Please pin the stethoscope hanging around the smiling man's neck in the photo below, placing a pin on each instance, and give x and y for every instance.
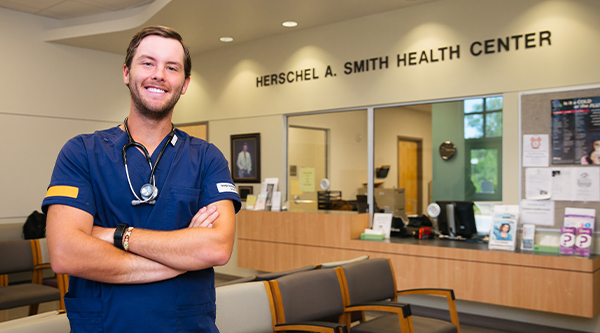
(149, 191)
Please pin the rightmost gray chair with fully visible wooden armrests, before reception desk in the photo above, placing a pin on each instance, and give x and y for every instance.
(370, 285)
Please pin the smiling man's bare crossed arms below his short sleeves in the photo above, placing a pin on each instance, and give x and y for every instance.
(79, 248)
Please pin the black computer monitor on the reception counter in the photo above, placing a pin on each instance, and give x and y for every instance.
(457, 218)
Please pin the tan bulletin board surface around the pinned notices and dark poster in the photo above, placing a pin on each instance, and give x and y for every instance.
(536, 118)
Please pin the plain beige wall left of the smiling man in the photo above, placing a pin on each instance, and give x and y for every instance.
(50, 93)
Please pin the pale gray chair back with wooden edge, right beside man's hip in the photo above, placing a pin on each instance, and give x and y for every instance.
(245, 307)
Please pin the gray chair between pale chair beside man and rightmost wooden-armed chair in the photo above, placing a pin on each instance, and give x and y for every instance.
(301, 299)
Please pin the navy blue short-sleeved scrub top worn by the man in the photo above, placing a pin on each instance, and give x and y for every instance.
(90, 175)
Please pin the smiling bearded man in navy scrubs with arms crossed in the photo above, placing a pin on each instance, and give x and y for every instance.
(138, 214)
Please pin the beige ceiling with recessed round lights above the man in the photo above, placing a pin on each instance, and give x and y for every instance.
(107, 25)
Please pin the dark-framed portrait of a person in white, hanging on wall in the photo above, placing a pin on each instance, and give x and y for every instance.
(245, 158)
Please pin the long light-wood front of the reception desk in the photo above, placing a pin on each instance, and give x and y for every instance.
(276, 241)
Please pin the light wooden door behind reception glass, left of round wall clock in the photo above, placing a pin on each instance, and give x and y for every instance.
(409, 173)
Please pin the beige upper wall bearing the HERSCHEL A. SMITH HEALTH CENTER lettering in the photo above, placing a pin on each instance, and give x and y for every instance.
(226, 79)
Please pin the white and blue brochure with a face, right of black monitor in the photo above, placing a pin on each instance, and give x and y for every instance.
(504, 227)
